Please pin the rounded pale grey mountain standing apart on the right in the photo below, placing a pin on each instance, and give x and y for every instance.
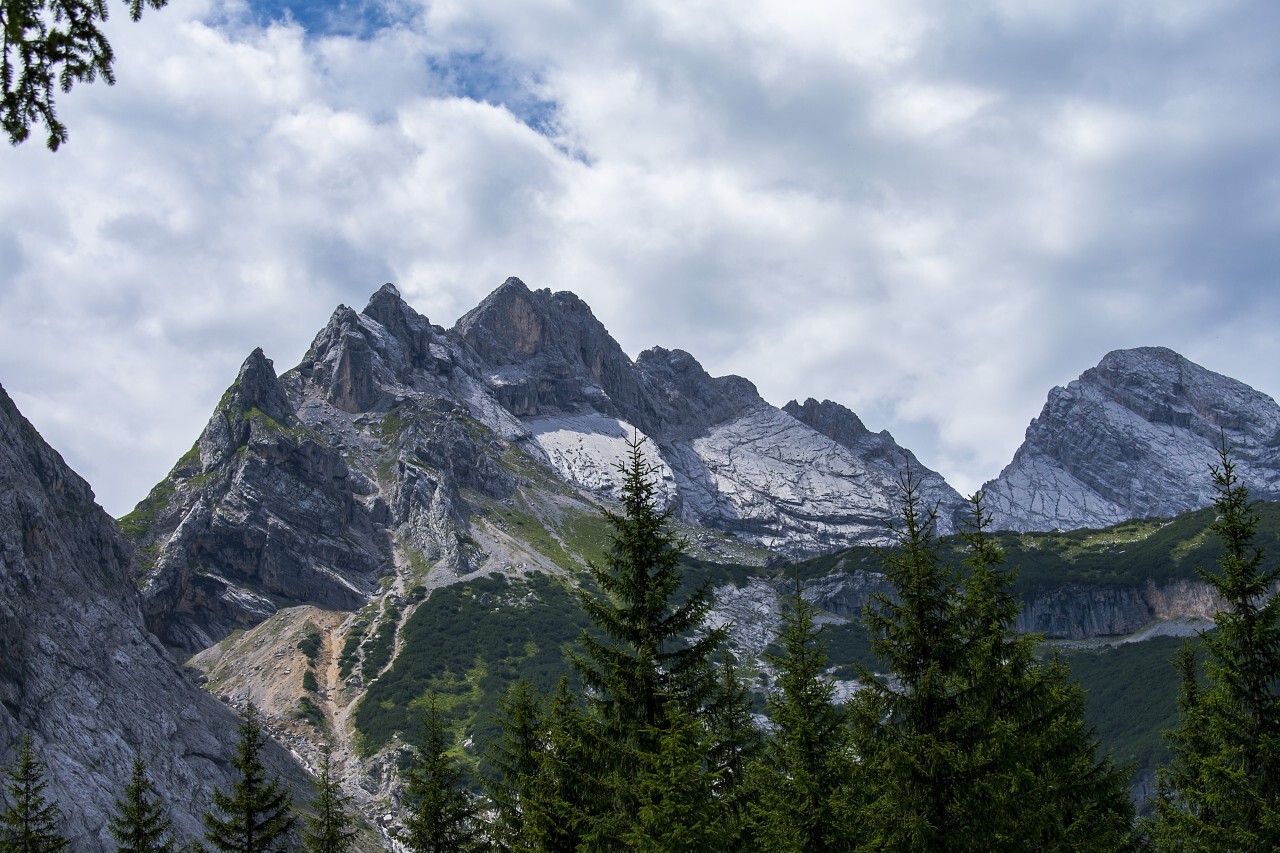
(1135, 437)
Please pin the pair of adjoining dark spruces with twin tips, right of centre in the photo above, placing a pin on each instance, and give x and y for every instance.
(973, 743)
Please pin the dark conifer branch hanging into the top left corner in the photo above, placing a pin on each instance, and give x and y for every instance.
(52, 44)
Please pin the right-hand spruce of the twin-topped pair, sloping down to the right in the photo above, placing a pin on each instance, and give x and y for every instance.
(1031, 773)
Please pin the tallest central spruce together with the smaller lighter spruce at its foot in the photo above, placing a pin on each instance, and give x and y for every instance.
(655, 767)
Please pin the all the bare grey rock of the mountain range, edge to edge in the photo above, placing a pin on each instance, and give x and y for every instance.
(400, 458)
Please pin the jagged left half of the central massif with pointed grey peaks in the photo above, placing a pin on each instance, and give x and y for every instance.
(301, 489)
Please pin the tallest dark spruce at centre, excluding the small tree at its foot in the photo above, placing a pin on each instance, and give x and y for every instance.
(646, 673)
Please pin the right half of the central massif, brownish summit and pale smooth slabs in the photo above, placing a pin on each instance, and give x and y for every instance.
(735, 463)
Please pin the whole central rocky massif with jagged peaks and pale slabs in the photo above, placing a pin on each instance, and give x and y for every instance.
(385, 446)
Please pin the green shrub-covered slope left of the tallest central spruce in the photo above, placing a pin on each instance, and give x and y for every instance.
(469, 644)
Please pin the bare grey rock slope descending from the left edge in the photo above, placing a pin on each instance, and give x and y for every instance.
(80, 672)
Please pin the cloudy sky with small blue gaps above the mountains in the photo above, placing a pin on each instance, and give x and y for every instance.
(926, 211)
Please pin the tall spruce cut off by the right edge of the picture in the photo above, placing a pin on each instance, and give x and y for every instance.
(1222, 790)
